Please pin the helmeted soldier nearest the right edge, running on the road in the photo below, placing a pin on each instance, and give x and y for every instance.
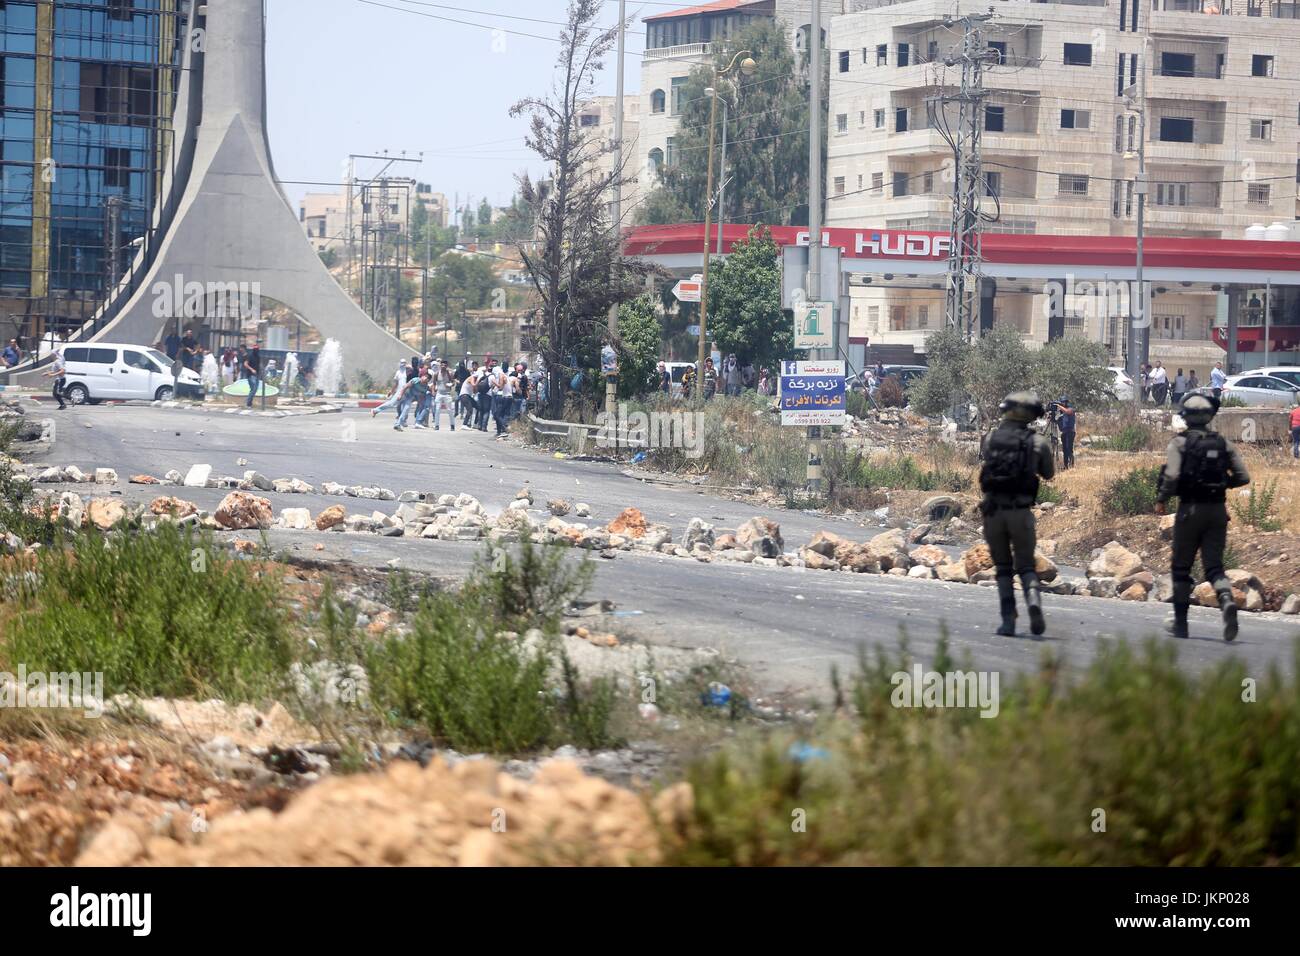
(1201, 468)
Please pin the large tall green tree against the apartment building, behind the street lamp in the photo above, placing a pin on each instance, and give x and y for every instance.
(768, 135)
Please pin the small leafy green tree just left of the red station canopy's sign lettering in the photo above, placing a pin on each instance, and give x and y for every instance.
(746, 314)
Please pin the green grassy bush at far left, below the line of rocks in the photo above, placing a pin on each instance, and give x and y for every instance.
(163, 613)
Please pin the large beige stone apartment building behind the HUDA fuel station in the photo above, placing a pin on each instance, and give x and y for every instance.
(1060, 146)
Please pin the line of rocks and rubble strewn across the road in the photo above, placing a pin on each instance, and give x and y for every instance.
(1113, 573)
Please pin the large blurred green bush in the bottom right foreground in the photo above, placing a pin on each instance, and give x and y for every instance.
(1184, 771)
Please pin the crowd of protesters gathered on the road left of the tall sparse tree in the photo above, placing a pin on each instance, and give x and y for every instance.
(471, 392)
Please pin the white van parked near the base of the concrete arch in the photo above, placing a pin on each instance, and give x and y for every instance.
(122, 373)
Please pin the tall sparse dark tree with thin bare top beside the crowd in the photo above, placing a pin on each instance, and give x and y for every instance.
(573, 258)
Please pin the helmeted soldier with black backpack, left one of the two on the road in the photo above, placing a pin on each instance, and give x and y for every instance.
(1016, 458)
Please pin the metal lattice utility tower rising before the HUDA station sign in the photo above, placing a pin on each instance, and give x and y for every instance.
(967, 252)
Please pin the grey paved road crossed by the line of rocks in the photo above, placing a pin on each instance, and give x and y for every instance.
(788, 625)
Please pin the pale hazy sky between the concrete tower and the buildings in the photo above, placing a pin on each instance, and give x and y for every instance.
(354, 77)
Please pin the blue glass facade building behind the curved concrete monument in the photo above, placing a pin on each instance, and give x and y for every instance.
(88, 92)
